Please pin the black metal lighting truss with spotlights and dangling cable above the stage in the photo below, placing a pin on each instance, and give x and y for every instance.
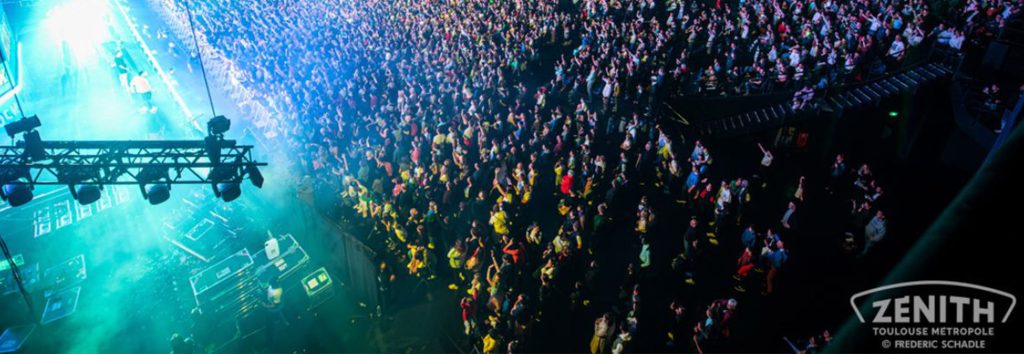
(95, 164)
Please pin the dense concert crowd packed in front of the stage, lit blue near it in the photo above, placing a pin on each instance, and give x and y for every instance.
(503, 148)
